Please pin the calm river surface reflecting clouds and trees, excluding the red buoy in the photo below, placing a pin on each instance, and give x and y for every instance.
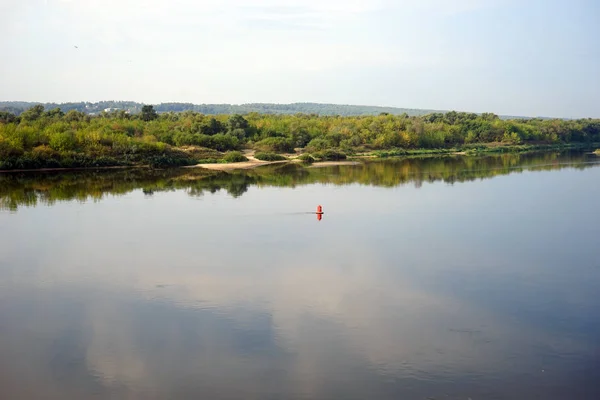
(449, 278)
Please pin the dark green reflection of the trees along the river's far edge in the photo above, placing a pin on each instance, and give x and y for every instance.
(26, 189)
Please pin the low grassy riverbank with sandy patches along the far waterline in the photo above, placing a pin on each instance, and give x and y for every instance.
(198, 157)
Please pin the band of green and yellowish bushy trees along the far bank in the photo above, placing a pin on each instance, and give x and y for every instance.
(40, 137)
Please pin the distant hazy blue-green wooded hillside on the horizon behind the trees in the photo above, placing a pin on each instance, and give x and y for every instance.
(18, 107)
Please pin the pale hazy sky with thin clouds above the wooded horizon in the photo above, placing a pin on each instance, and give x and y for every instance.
(537, 57)
